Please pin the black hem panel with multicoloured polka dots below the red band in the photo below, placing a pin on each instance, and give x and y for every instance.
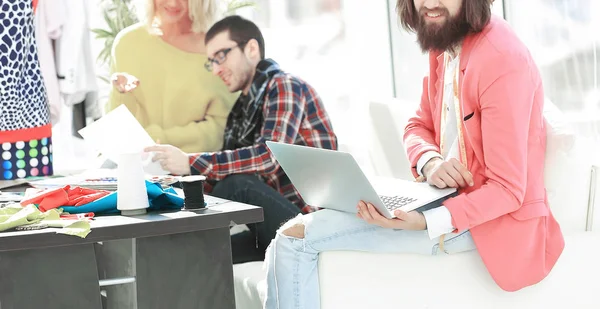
(26, 159)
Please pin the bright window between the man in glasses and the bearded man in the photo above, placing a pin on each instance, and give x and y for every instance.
(341, 48)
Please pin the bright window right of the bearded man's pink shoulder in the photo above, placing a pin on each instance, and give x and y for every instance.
(563, 39)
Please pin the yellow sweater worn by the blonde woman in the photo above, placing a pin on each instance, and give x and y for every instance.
(177, 101)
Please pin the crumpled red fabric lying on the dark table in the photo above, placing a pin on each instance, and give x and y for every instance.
(65, 196)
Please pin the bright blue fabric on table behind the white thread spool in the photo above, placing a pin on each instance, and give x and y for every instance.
(158, 198)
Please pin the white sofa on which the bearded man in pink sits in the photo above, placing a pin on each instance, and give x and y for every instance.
(364, 280)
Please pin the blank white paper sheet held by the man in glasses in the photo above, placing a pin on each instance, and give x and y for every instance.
(119, 132)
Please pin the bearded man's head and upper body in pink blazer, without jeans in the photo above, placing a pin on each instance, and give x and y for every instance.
(480, 128)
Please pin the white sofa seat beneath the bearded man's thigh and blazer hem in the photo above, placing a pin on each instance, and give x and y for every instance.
(352, 280)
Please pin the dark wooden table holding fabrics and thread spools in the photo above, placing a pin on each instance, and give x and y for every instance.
(179, 259)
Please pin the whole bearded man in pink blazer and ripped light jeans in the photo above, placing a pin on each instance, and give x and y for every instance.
(479, 128)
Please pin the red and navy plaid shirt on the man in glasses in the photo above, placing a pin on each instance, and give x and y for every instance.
(279, 107)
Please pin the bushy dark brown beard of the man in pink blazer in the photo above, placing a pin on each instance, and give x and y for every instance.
(444, 36)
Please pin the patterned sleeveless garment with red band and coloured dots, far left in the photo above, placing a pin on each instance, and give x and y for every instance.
(25, 135)
